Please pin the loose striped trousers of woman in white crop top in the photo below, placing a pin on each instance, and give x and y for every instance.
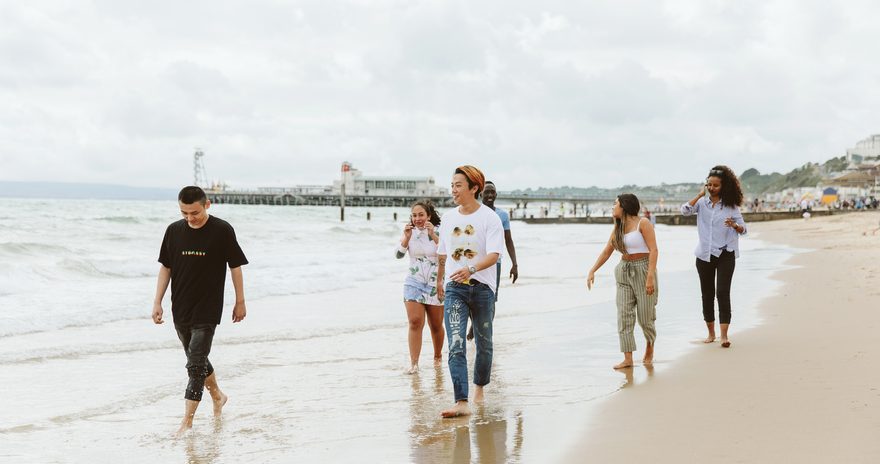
(633, 302)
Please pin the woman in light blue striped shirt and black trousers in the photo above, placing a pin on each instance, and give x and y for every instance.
(719, 225)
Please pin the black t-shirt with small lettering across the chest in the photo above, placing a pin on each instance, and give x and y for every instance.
(198, 259)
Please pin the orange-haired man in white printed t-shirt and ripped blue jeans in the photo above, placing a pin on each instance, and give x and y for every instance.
(472, 238)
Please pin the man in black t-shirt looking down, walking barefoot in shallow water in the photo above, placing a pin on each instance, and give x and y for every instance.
(194, 256)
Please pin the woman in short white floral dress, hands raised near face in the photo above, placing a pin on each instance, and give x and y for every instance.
(420, 287)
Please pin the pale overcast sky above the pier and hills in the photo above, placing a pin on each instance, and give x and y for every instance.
(549, 93)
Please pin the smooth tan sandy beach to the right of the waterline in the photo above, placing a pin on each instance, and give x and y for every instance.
(800, 387)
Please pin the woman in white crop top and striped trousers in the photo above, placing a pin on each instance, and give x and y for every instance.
(636, 276)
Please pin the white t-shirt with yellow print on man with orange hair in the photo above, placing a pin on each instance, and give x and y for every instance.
(467, 239)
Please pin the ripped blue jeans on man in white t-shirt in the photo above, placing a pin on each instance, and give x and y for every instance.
(476, 301)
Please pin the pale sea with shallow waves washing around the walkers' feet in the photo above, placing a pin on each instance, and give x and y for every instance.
(317, 370)
